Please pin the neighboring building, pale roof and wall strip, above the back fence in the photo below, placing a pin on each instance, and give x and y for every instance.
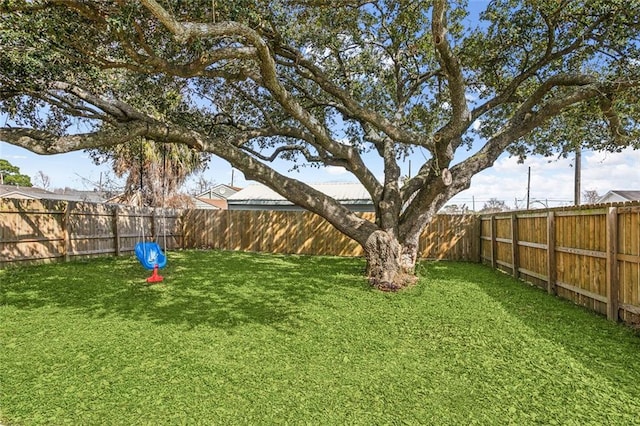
(260, 197)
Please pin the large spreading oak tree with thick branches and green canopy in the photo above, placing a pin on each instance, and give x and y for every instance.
(324, 82)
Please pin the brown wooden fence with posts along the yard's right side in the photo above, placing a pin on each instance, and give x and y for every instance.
(588, 255)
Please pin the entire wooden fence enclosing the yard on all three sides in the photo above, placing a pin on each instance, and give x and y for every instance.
(589, 255)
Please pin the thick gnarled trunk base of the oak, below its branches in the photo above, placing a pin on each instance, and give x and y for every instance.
(390, 264)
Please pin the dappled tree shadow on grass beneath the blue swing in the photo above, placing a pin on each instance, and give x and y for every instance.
(219, 289)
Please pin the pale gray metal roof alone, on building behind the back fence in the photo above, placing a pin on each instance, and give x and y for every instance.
(345, 193)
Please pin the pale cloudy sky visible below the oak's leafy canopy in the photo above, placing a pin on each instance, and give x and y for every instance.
(551, 178)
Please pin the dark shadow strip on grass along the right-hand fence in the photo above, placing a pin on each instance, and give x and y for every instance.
(607, 349)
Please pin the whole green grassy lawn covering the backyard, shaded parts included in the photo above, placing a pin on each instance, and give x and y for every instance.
(233, 338)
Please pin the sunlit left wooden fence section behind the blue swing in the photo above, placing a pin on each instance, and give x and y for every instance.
(43, 230)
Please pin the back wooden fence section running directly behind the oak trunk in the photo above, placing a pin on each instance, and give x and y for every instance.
(451, 237)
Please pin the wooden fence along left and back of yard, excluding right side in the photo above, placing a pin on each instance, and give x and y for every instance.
(40, 230)
